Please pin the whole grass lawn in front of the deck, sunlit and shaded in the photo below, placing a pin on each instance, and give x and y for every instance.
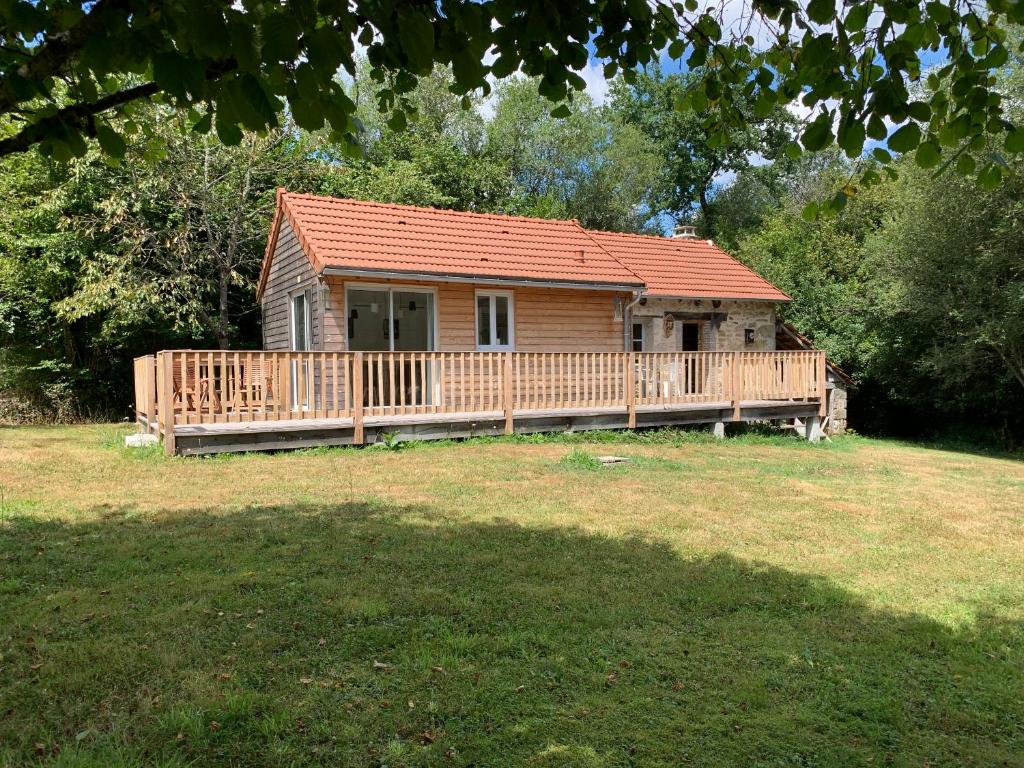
(754, 603)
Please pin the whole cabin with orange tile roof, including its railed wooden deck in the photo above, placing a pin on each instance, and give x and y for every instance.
(385, 319)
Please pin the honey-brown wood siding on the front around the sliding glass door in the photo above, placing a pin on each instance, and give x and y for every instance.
(547, 320)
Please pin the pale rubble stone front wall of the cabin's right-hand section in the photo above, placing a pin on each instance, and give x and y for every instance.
(722, 328)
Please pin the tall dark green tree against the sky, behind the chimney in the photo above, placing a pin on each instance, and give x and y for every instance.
(695, 159)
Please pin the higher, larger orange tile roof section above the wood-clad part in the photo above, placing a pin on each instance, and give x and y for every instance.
(358, 236)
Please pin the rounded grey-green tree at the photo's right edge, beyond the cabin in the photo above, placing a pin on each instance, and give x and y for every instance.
(952, 274)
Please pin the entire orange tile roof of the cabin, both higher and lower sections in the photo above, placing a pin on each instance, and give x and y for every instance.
(362, 237)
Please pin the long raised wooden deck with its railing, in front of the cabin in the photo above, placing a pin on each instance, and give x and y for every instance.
(203, 402)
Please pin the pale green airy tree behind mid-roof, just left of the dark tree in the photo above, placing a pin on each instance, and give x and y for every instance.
(587, 165)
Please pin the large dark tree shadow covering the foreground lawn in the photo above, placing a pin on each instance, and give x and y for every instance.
(356, 635)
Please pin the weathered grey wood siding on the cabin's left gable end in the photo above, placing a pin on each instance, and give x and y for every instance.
(290, 272)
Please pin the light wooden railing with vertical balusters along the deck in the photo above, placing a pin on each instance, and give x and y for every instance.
(184, 388)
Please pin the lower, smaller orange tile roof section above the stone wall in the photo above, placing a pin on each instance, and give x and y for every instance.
(688, 268)
